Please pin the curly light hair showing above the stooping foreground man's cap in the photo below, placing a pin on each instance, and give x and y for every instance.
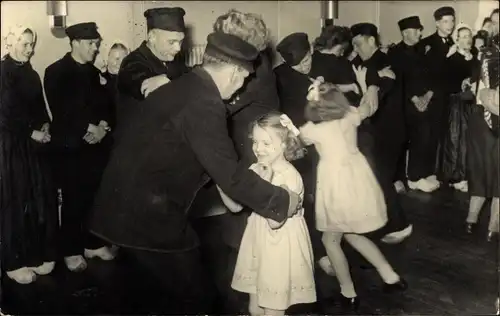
(249, 27)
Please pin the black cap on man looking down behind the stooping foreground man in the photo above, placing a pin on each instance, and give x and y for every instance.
(168, 19)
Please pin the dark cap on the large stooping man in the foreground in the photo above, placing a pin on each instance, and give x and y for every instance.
(231, 49)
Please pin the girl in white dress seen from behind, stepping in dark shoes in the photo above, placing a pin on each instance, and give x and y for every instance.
(349, 200)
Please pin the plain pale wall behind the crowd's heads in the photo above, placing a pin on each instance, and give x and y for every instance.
(124, 20)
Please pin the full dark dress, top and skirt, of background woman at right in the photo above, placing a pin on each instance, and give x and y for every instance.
(451, 155)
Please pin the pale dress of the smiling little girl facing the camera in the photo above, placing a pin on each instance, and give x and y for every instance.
(277, 264)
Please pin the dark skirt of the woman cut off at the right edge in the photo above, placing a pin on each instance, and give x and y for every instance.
(483, 156)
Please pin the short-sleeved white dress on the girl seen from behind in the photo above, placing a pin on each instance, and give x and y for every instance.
(348, 196)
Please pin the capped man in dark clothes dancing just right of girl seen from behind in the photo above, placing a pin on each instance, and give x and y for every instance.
(381, 137)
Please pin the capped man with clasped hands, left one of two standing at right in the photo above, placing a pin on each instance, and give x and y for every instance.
(414, 82)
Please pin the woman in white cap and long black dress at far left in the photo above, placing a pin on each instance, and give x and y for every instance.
(28, 201)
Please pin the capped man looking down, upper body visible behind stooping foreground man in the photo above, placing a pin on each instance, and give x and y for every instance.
(156, 61)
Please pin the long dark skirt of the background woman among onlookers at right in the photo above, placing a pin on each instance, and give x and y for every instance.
(451, 163)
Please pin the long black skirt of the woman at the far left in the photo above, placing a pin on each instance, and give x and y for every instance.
(28, 204)
